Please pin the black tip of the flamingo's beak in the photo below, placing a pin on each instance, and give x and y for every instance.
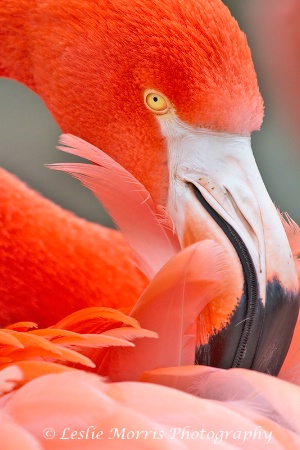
(266, 344)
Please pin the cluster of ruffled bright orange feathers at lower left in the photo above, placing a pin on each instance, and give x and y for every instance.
(36, 351)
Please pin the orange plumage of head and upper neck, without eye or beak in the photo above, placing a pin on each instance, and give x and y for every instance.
(86, 54)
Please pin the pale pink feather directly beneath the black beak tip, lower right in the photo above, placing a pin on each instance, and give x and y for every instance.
(254, 395)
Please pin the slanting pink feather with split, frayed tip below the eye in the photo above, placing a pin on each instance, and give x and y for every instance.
(127, 201)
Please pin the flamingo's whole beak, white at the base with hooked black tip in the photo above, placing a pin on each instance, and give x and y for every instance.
(216, 192)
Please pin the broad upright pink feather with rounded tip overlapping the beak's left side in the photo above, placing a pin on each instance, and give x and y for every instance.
(170, 306)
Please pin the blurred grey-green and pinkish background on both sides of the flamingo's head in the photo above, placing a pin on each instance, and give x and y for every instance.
(28, 134)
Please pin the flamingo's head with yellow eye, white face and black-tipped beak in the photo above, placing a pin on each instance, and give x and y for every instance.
(168, 89)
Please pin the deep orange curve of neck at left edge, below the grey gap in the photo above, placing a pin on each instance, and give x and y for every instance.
(50, 260)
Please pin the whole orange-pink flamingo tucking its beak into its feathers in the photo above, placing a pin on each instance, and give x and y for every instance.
(215, 289)
